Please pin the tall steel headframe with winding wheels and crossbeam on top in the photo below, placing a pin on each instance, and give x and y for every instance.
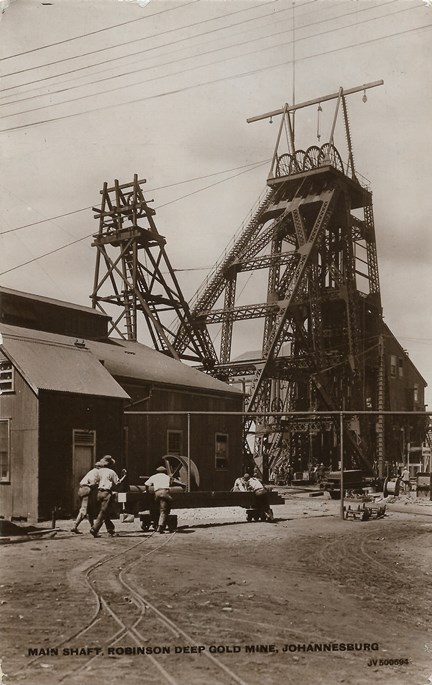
(313, 235)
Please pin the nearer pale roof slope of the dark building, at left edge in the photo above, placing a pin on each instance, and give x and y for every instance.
(53, 362)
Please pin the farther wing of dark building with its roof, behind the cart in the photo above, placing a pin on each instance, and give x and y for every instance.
(157, 383)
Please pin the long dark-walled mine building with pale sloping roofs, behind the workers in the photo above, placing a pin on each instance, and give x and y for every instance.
(65, 390)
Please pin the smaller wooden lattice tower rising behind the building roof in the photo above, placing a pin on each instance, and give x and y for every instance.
(134, 277)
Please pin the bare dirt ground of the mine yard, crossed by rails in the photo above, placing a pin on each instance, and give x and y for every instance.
(307, 599)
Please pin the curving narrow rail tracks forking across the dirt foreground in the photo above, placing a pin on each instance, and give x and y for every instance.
(120, 625)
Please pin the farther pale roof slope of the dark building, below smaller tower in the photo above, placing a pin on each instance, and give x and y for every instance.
(129, 359)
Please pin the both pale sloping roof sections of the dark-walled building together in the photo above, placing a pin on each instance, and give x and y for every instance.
(54, 362)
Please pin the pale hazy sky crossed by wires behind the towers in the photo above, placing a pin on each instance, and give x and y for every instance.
(97, 90)
